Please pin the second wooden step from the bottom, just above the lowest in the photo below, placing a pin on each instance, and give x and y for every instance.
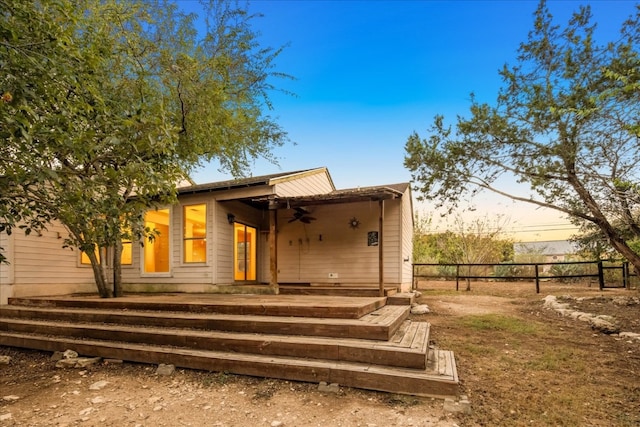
(407, 348)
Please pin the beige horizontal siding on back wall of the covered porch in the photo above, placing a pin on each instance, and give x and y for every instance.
(308, 253)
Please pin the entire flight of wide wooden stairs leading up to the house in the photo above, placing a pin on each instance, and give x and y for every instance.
(355, 342)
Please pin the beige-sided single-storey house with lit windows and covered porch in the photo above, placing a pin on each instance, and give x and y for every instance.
(239, 236)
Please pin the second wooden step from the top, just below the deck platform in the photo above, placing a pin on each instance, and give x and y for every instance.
(381, 324)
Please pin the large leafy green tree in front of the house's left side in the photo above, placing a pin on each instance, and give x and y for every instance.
(106, 104)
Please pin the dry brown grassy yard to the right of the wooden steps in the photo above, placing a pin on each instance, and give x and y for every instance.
(523, 365)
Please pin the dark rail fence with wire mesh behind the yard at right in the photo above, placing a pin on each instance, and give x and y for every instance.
(608, 274)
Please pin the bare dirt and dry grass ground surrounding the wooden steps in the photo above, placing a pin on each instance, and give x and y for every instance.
(518, 363)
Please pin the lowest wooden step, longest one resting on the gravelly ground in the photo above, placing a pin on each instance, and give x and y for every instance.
(440, 380)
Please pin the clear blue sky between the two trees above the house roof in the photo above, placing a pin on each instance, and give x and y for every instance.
(369, 73)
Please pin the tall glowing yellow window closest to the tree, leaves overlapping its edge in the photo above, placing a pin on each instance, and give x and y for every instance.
(156, 253)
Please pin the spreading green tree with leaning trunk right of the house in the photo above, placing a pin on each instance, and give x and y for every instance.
(565, 125)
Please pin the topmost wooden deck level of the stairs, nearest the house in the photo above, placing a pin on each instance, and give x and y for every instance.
(264, 305)
